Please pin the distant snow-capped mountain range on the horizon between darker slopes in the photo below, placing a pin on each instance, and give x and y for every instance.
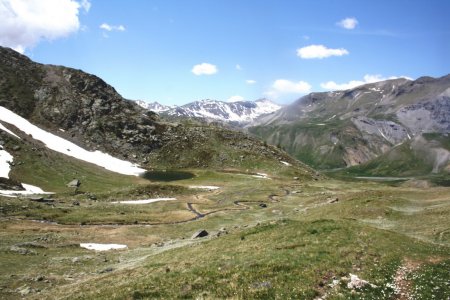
(241, 112)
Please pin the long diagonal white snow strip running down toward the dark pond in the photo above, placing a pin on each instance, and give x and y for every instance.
(61, 145)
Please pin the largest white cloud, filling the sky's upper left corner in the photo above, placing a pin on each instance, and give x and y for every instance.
(24, 23)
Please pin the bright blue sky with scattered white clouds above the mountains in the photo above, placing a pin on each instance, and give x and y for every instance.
(176, 52)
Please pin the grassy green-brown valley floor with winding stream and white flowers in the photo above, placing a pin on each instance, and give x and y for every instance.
(272, 237)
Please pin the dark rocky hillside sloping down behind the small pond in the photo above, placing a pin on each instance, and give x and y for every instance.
(85, 110)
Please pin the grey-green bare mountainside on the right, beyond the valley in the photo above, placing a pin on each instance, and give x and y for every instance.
(352, 127)
